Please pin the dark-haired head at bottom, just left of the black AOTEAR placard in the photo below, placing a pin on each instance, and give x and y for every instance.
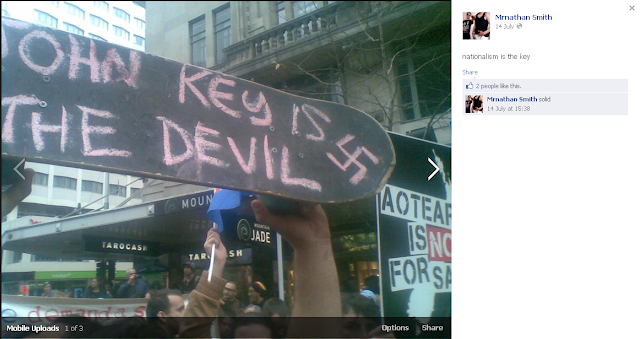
(359, 314)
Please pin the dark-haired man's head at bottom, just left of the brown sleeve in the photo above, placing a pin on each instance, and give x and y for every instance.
(164, 307)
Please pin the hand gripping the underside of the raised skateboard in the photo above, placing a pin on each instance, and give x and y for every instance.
(305, 231)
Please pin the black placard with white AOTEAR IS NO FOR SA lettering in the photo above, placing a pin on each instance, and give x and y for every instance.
(414, 231)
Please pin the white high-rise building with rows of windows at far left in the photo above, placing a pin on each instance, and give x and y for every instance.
(61, 191)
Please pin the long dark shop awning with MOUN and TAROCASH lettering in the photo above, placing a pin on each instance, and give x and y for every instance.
(148, 229)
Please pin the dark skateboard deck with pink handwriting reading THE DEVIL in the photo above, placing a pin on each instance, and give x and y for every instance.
(72, 101)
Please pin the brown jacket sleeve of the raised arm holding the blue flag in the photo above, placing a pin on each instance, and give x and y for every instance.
(204, 303)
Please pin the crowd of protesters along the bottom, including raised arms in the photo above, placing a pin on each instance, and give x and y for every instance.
(317, 295)
